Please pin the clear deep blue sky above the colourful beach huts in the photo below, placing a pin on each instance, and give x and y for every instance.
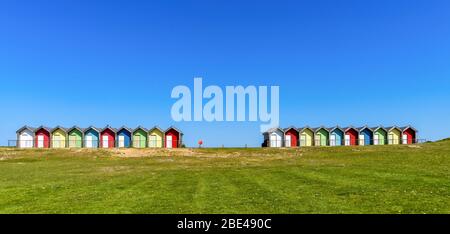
(116, 62)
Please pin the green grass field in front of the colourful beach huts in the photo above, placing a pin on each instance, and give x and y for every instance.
(371, 179)
